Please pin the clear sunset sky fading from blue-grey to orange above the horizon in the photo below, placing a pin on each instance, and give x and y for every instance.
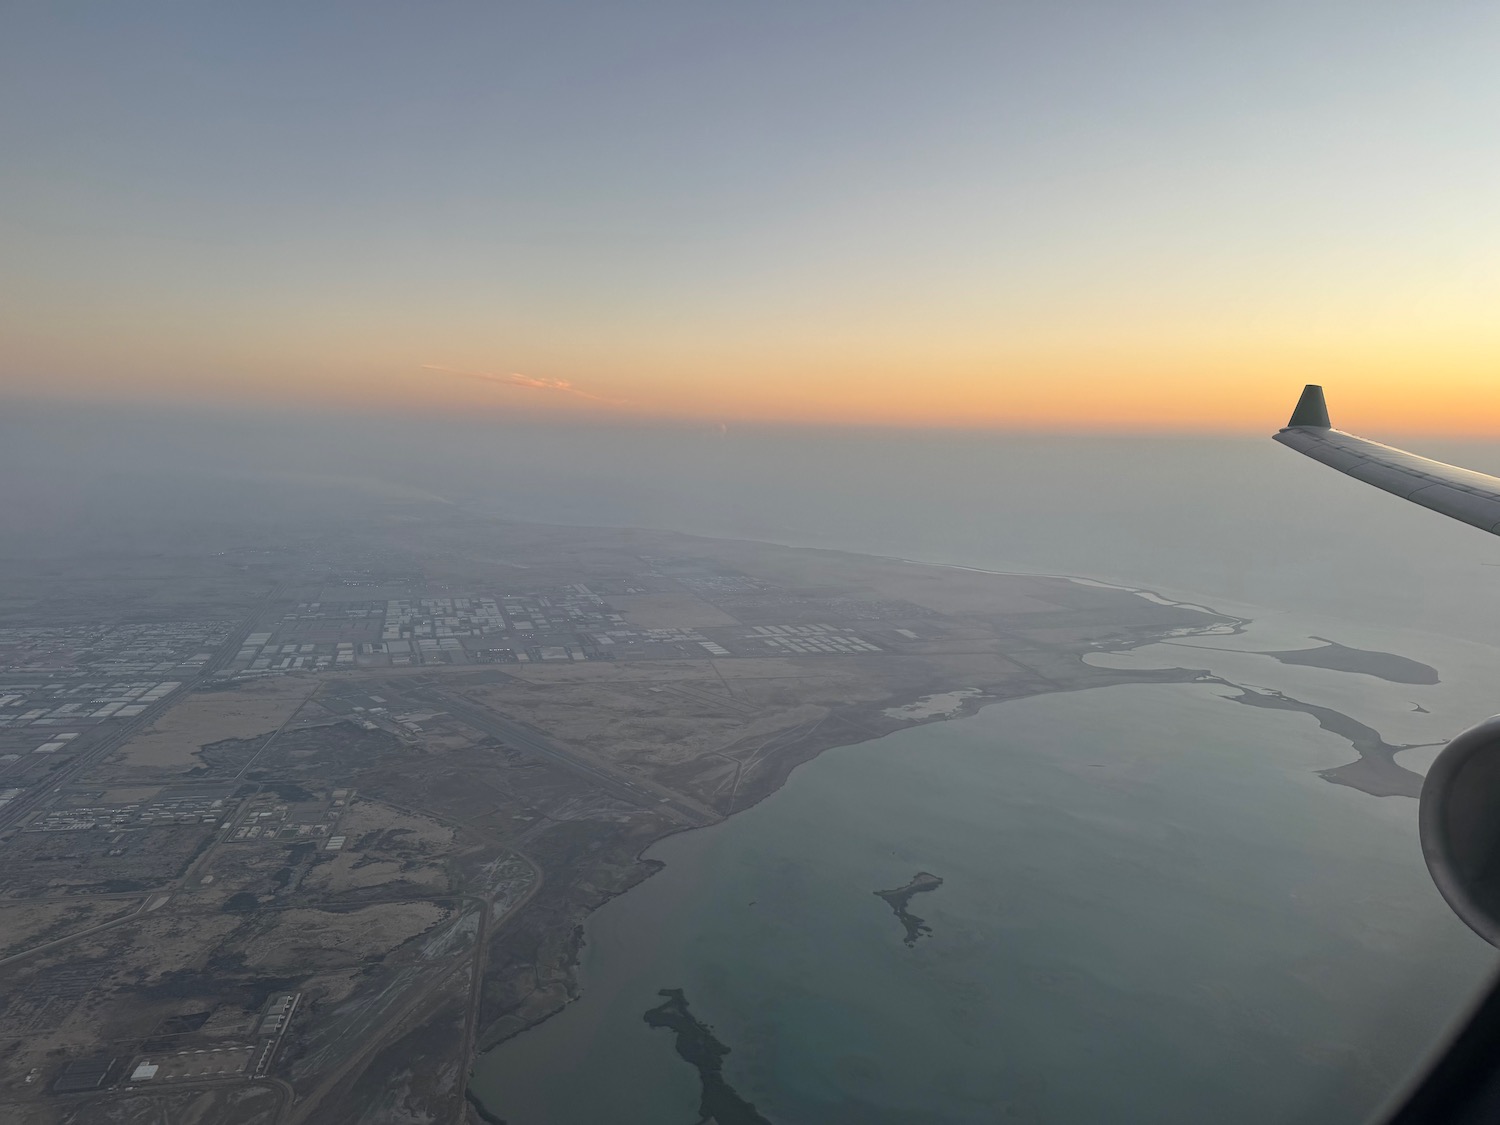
(1081, 215)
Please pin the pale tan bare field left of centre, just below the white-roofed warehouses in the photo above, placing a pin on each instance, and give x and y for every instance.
(175, 740)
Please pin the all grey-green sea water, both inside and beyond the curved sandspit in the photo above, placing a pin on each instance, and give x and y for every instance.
(1153, 908)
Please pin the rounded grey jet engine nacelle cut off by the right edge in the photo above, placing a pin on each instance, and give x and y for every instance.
(1460, 827)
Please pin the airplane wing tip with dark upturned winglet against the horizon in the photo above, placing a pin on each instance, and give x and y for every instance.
(1459, 493)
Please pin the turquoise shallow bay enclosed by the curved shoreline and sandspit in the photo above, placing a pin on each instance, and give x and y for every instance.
(1153, 911)
